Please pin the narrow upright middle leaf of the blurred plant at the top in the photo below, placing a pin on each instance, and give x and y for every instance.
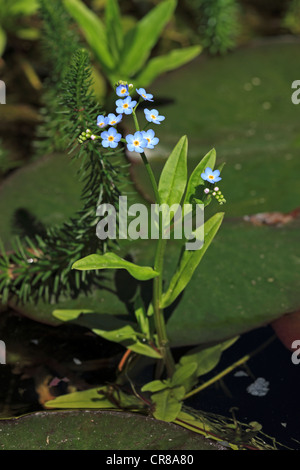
(114, 29)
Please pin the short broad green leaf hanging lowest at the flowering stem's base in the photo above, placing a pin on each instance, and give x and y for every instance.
(168, 403)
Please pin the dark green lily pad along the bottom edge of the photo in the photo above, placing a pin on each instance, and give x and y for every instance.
(97, 430)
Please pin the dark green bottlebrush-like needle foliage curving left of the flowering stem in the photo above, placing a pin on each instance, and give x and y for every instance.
(40, 267)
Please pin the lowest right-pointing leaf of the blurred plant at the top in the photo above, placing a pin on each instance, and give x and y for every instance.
(165, 63)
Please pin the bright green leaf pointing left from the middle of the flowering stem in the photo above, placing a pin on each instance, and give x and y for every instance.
(113, 261)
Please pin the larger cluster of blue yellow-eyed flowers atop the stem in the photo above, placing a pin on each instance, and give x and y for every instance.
(136, 142)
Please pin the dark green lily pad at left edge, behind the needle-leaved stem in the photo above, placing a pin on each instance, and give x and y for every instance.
(46, 191)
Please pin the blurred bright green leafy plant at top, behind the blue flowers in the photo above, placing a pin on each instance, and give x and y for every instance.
(128, 54)
